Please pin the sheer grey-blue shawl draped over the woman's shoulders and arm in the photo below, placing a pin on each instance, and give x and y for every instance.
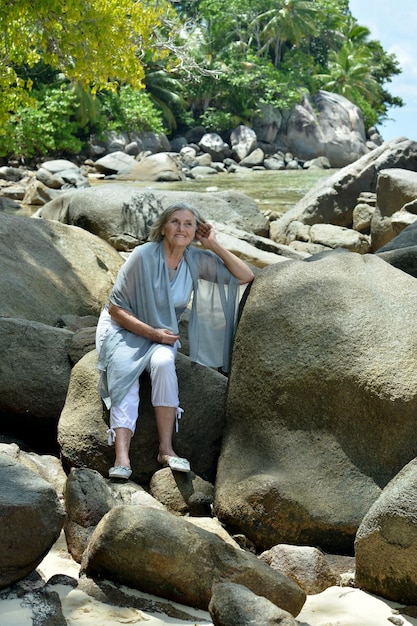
(142, 287)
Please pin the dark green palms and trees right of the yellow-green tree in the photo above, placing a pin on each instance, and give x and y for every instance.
(275, 50)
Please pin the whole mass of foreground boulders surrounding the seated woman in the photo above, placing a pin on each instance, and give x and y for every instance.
(306, 449)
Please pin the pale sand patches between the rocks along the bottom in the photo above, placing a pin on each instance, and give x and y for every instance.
(336, 606)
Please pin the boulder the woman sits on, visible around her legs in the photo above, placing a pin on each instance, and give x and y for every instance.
(83, 424)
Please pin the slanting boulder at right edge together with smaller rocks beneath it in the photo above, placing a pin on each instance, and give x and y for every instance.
(360, 207)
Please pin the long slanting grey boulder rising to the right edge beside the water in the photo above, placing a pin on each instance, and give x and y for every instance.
(333, 199)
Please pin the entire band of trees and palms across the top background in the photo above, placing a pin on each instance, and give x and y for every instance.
(71, 68)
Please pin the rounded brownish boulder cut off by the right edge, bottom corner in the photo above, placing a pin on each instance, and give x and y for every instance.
(386, 542)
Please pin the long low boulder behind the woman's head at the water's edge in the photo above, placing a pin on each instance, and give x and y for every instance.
(122, 214)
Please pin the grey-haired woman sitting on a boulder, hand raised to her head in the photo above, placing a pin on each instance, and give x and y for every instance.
(138, 329)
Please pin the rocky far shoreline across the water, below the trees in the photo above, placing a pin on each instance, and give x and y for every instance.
(306, 140)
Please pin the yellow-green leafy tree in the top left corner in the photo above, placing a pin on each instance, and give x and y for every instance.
(96, 43)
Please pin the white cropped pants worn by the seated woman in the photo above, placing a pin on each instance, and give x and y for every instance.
(164, 383)
